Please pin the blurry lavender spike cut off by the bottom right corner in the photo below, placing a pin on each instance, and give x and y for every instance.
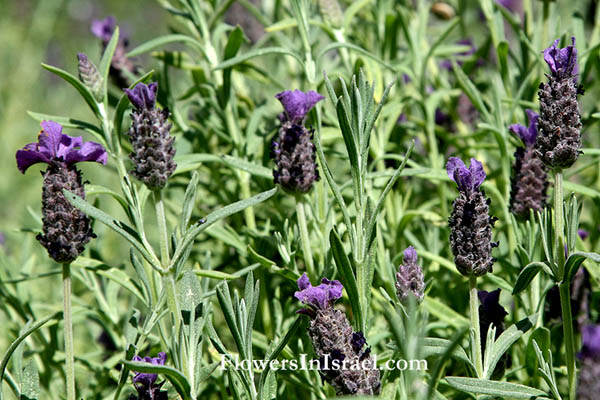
(589, 376)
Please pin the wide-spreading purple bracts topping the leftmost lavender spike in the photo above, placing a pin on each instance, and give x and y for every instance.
(53, 145)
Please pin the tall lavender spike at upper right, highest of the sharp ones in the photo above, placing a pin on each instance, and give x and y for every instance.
(559, 140)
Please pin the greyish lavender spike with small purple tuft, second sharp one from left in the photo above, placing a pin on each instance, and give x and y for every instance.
(152, 143)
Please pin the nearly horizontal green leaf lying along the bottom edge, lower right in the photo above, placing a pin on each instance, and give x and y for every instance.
(495, 388)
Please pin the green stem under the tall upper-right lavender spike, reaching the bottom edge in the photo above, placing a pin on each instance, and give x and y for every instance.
(564, 289)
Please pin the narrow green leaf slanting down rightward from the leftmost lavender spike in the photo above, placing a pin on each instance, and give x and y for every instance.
(120, 227)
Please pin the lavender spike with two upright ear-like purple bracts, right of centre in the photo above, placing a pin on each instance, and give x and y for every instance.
(470, 222)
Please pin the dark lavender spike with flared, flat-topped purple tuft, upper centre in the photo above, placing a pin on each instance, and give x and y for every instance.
(293, 150)
